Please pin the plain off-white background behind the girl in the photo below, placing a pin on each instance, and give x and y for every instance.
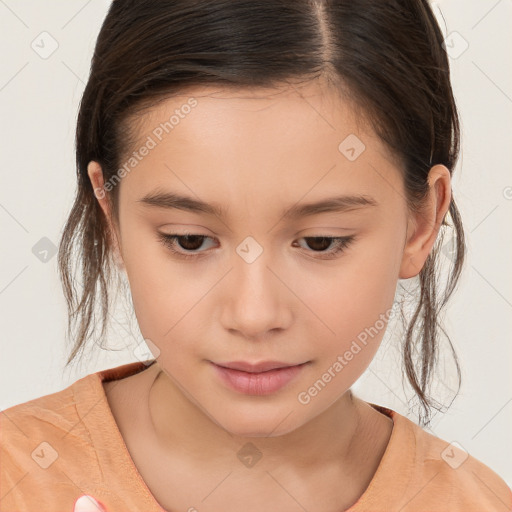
(39, 95)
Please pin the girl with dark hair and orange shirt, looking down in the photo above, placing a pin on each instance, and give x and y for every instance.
(263, 173)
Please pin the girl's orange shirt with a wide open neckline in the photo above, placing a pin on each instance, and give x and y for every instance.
(58, 447)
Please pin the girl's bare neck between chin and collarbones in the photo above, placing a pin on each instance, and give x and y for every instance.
(179, 425)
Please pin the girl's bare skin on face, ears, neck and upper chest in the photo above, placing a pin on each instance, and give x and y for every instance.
(257, 152)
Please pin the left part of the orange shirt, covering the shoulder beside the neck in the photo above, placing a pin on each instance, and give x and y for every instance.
(60, 446)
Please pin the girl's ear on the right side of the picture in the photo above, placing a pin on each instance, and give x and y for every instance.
(423, 227)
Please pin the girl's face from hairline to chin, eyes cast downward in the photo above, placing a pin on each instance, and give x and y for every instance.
(251, 285)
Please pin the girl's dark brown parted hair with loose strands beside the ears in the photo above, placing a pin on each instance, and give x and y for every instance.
(388, 57)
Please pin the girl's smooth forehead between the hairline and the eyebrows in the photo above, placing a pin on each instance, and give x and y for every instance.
(230, 142)
